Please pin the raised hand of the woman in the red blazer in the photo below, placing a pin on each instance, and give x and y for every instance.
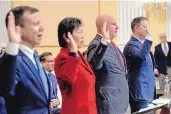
(73, 45)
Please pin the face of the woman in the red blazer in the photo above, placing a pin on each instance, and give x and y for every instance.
(78, 36)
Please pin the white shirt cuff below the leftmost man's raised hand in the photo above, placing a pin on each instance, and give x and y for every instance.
(12, 49)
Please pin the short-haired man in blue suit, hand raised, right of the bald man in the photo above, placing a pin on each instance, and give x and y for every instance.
(140, 75)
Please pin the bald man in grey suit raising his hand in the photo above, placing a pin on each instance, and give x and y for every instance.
(108, 63)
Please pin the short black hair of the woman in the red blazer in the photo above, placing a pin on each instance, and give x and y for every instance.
(67, 25)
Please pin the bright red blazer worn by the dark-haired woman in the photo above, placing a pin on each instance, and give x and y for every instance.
(79, 75)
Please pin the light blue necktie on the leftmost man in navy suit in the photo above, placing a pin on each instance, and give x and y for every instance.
(42, 74)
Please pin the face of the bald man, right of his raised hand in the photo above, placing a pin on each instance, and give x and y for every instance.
(112, 27)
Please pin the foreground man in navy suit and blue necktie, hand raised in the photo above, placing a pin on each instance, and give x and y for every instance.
(24, 83)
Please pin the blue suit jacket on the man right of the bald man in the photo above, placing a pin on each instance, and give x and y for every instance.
(140, 69)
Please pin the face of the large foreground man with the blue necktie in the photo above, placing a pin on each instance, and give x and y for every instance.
(32, 30)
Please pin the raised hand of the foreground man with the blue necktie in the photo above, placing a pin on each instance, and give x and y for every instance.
(13, 30)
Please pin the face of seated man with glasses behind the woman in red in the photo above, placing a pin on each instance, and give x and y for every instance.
(48, 64)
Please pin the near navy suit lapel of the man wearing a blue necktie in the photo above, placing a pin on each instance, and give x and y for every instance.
(32, 68)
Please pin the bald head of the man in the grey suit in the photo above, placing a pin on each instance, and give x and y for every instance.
(111, 26)
